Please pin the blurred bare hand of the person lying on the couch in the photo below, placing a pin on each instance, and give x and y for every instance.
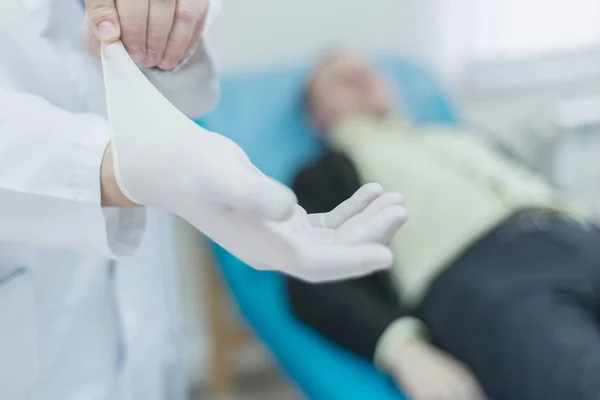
(424, 372)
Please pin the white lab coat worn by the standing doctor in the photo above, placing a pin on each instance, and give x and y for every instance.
(74, 325)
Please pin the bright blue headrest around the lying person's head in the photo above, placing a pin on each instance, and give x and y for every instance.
(263, 112)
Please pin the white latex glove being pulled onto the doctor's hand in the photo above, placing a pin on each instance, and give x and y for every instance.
(162, 158)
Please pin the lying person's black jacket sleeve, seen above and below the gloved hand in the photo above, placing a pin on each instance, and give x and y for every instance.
(357, 323)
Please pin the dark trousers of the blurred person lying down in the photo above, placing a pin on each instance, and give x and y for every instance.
(522, 309)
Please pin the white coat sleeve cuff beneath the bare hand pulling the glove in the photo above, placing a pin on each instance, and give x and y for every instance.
(194, 87)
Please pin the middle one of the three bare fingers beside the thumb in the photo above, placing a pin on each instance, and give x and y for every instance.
(160, 23)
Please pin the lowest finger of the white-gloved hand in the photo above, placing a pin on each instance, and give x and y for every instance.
(328, 263)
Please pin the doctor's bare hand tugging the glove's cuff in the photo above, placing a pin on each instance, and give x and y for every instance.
(156, 33)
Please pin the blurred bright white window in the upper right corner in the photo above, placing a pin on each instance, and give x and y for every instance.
(516, 42)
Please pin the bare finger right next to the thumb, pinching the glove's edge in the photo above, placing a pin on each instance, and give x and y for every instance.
(133, 16)
